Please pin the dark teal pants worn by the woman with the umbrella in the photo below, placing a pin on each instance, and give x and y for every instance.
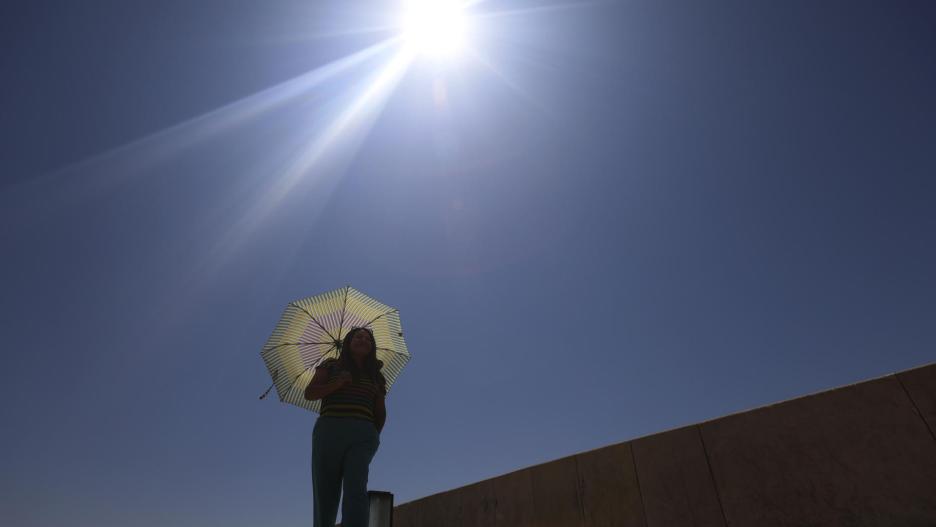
(342, 449)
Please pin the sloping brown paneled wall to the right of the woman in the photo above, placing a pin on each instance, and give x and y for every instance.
(858, 455)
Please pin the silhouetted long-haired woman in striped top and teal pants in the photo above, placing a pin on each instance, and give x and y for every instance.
(347, 433)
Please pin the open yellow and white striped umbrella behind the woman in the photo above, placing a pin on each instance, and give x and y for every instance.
(311, 330)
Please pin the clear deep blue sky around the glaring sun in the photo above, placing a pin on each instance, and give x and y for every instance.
(636, 216)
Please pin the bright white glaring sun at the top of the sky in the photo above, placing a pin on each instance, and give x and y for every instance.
(435, 28)
